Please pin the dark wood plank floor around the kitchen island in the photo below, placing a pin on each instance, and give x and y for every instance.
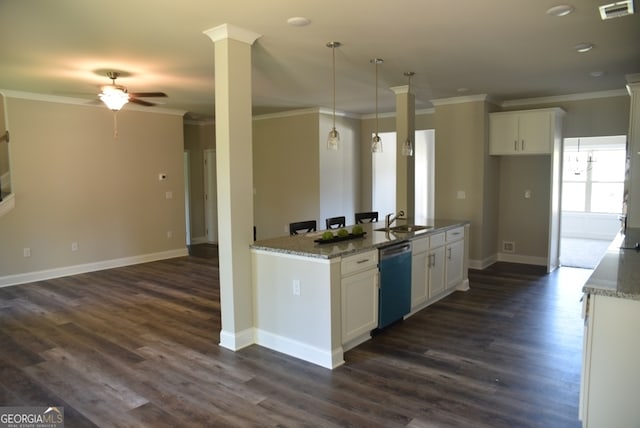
(137, 346)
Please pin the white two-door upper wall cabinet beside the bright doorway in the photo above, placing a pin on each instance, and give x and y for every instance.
(526, 132)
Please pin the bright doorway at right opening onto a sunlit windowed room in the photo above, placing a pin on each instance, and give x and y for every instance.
(592, 194)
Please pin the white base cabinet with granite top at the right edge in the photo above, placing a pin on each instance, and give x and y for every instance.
(611, 367)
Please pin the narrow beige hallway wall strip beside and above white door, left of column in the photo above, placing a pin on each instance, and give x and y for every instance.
(197, 139)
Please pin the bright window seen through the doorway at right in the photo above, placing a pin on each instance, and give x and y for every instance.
(593, 174)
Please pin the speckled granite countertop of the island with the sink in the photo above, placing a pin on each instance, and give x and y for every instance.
(304, 245)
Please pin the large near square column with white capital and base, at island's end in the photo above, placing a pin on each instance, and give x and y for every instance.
(235, 180)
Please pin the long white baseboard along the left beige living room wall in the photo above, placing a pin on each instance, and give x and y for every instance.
(89, 267)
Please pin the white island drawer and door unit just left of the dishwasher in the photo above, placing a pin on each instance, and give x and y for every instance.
(359, 296)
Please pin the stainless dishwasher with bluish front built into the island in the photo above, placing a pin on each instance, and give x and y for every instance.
(395, 283)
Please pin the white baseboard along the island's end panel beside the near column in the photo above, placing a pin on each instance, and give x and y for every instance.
(327, 359)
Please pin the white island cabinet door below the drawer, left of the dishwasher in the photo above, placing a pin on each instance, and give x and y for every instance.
(359, 304)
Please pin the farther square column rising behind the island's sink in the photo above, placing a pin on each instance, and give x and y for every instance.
(405, 165)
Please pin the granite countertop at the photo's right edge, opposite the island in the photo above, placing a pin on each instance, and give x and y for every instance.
(618, 273)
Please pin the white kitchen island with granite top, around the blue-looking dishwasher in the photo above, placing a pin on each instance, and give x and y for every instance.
(316, 300)
